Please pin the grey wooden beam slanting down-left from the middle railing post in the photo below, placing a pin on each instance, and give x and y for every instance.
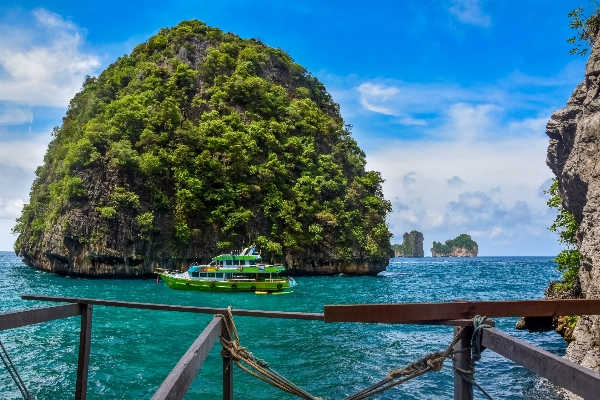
(177, 383)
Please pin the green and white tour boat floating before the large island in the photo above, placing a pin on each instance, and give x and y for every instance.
(242, 272)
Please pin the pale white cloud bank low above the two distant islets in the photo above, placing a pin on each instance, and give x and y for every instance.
(489, 189)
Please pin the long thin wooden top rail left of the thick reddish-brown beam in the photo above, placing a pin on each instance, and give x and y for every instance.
(192, 309)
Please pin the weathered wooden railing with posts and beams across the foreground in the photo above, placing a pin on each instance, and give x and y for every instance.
(561, 372)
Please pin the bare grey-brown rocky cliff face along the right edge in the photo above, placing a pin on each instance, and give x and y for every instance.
(573, 156)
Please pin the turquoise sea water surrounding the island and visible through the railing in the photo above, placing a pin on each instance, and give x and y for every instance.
(134, 350)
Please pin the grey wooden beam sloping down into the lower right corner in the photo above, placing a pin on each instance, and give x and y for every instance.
(560, 371)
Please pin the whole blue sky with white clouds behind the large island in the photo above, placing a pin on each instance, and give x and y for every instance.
(448, 98)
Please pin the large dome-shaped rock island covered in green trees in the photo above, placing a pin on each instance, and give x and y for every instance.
(197, 142)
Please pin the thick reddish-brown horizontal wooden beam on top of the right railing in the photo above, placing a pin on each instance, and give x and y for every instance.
(410, 312)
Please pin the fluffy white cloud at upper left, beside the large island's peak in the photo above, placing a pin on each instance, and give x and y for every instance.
(42, 63)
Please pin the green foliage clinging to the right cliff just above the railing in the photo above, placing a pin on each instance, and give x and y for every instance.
(566, 227)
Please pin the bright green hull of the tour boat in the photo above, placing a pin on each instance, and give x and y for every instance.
(225, 286)
